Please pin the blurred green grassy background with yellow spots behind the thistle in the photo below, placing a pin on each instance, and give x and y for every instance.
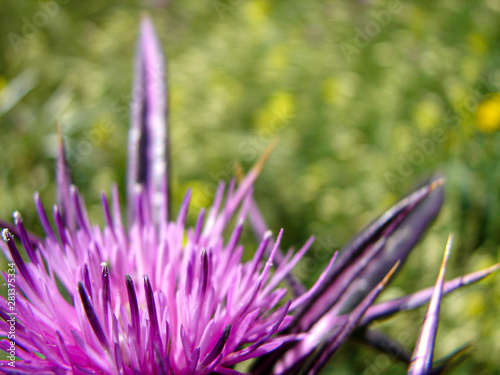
(367, 99)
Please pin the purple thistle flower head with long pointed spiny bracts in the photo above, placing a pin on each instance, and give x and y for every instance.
(155, 296)
